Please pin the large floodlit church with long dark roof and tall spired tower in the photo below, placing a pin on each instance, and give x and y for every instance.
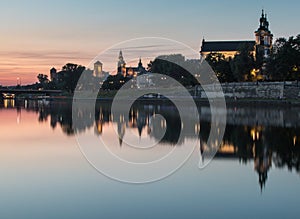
(262, 43)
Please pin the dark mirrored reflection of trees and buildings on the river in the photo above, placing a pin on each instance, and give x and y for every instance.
(265, 137)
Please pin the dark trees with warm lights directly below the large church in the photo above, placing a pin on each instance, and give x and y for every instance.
(282, 64)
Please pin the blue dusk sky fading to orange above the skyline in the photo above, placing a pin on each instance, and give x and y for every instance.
(37, 35)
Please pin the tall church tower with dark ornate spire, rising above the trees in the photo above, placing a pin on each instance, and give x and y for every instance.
(263, 36)
